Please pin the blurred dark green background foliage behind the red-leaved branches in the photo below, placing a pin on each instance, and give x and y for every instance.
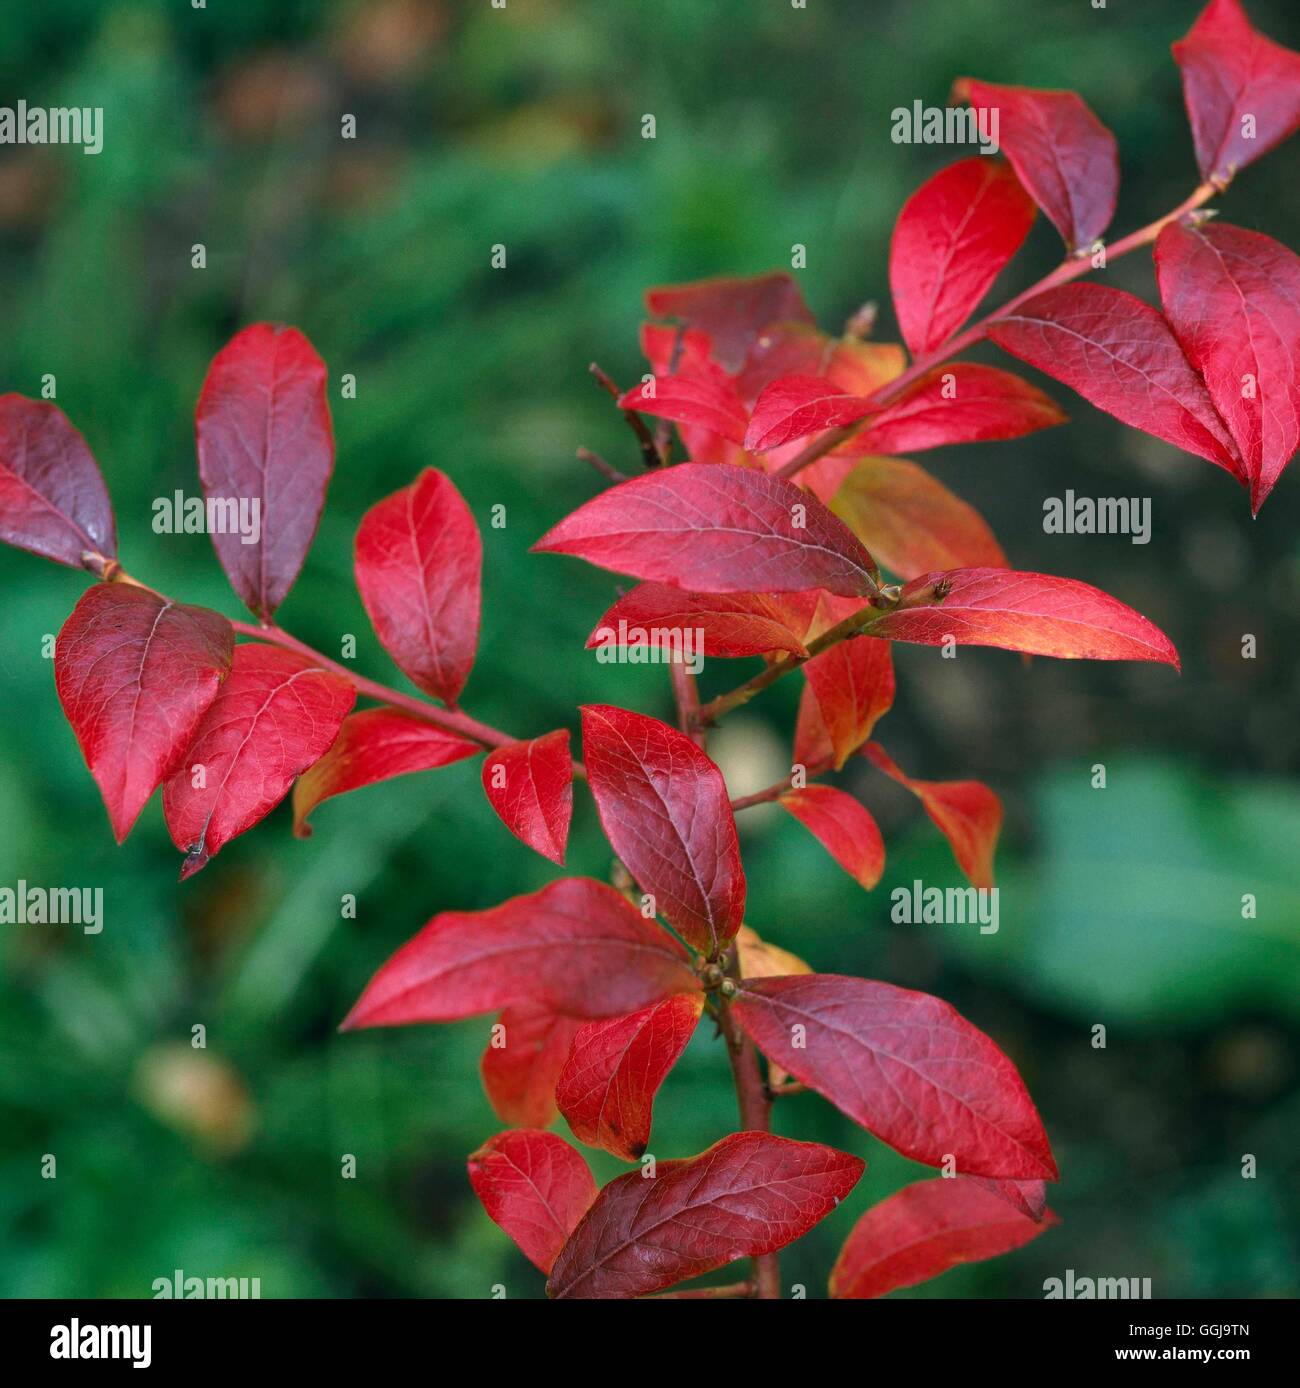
(1120, 907)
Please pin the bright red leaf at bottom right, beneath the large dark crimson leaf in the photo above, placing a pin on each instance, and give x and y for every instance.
(922, 1232)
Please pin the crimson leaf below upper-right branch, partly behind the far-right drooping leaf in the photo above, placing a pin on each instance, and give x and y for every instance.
(1120, 355)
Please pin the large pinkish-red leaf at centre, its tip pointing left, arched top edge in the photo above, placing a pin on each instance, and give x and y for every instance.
(717, 530)
